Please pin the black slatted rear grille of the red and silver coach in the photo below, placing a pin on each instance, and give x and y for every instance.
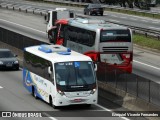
(115, 49)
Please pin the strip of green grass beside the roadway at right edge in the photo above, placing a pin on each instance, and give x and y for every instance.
(149, 42)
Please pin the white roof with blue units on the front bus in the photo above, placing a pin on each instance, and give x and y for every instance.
(56, 53)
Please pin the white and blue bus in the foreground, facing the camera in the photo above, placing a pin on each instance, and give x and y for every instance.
(59, 76)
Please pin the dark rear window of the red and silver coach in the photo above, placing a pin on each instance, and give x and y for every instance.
(115, 36)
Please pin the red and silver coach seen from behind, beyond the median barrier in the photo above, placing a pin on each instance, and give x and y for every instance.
(103, 42)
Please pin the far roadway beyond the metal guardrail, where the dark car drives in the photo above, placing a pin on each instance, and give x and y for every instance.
(109, 16)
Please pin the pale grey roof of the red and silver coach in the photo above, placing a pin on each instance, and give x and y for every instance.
(92, 24)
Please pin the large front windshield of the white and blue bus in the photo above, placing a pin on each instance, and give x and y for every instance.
(70, 75)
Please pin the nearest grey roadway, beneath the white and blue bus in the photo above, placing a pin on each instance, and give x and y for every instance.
(14, 97)
